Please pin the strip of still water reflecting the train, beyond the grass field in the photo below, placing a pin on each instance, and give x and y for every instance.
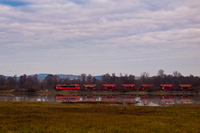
(137, 100)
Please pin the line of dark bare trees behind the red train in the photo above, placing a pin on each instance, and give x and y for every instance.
(33, 84)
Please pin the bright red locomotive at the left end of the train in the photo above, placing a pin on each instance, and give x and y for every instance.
(67, 87)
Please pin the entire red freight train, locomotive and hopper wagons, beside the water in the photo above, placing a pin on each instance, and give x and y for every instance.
(124, 87)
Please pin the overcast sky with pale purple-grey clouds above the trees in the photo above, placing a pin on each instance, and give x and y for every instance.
(99, 36)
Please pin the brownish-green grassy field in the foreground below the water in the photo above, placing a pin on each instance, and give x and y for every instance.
(79, 117)
